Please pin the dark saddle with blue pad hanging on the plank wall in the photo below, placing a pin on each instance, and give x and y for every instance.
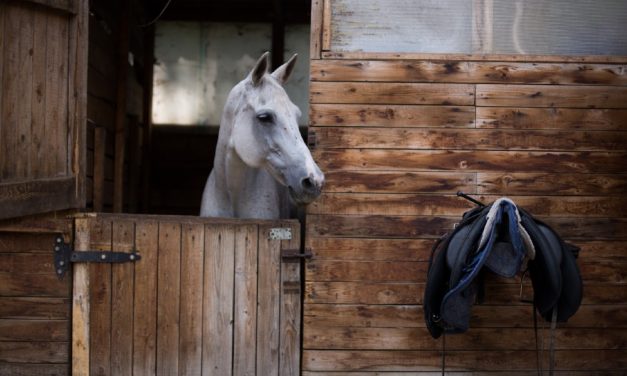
(504, 239)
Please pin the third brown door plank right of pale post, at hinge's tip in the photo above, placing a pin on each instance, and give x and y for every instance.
(145, 303)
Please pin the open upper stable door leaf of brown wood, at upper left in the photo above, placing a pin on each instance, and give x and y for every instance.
(42, 105)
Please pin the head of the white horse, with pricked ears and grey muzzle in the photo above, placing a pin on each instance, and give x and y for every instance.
(265, 131)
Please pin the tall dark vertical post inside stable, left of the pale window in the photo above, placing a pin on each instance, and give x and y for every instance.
(120, 109)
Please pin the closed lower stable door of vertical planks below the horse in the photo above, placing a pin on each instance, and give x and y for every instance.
(207, 297)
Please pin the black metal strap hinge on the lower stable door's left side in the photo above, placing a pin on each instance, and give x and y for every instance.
(64, 255)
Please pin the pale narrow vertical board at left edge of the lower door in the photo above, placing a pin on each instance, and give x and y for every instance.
(80, 303)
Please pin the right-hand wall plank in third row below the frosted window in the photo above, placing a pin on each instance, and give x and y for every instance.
(552, 118)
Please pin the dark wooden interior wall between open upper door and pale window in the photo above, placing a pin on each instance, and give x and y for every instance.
(119, 97)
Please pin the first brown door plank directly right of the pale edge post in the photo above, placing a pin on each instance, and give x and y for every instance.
(100, 303)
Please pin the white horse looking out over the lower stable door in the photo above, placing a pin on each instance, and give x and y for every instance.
(262, 167)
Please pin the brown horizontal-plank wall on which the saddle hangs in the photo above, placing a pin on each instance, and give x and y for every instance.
(397, 136)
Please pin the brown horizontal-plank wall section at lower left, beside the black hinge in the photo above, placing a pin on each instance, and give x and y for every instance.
(35, 305)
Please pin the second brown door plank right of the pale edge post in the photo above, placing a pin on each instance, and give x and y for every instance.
(122, 290)
